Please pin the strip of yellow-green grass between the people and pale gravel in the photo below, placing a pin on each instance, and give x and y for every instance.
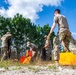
(12, 62)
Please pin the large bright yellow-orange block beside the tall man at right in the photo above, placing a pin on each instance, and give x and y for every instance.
(67, 58)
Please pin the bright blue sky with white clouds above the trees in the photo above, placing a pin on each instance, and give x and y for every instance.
(41, 11)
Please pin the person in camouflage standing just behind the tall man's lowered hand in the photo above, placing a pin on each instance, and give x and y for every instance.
(48, 48)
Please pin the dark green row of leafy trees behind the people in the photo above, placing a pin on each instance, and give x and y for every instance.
(22, 30)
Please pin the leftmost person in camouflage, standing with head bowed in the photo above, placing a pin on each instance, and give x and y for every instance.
(4, 49)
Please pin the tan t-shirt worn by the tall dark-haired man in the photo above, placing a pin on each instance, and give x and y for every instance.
(62, 23)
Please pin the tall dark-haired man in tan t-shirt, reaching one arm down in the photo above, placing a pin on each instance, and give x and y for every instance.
(63, 29)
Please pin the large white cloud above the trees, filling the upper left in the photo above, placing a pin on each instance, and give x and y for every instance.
(28, 8)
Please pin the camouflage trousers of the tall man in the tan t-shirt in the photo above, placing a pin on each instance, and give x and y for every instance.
(66, 37)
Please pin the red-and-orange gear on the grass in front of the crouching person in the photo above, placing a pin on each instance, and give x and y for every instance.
(26, 59)
